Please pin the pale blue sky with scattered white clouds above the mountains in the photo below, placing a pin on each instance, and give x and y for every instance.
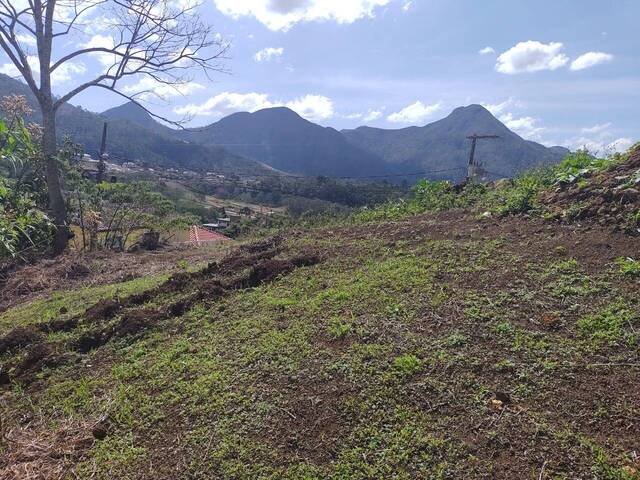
(562, 72)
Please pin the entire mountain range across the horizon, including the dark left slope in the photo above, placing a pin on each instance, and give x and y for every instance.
(280, 139)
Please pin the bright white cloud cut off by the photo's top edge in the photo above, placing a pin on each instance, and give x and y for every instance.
(283, 14)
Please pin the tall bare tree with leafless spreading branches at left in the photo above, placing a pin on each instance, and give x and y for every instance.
(158, 39)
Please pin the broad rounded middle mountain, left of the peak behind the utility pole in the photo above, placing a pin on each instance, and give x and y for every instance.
(284, 140)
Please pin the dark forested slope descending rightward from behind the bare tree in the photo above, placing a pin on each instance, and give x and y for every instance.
(129, 141)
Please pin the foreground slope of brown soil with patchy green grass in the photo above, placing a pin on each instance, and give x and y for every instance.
(437, 346)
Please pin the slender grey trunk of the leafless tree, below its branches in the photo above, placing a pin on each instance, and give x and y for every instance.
(56, 200)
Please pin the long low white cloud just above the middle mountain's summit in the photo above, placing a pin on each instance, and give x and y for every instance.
(311, 107)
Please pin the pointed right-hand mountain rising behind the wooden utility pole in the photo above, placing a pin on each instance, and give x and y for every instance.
(443, 144)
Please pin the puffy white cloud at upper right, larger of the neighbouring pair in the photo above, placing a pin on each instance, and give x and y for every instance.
(531, 56)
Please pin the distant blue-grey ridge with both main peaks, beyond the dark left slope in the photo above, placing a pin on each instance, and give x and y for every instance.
(282, 139)
